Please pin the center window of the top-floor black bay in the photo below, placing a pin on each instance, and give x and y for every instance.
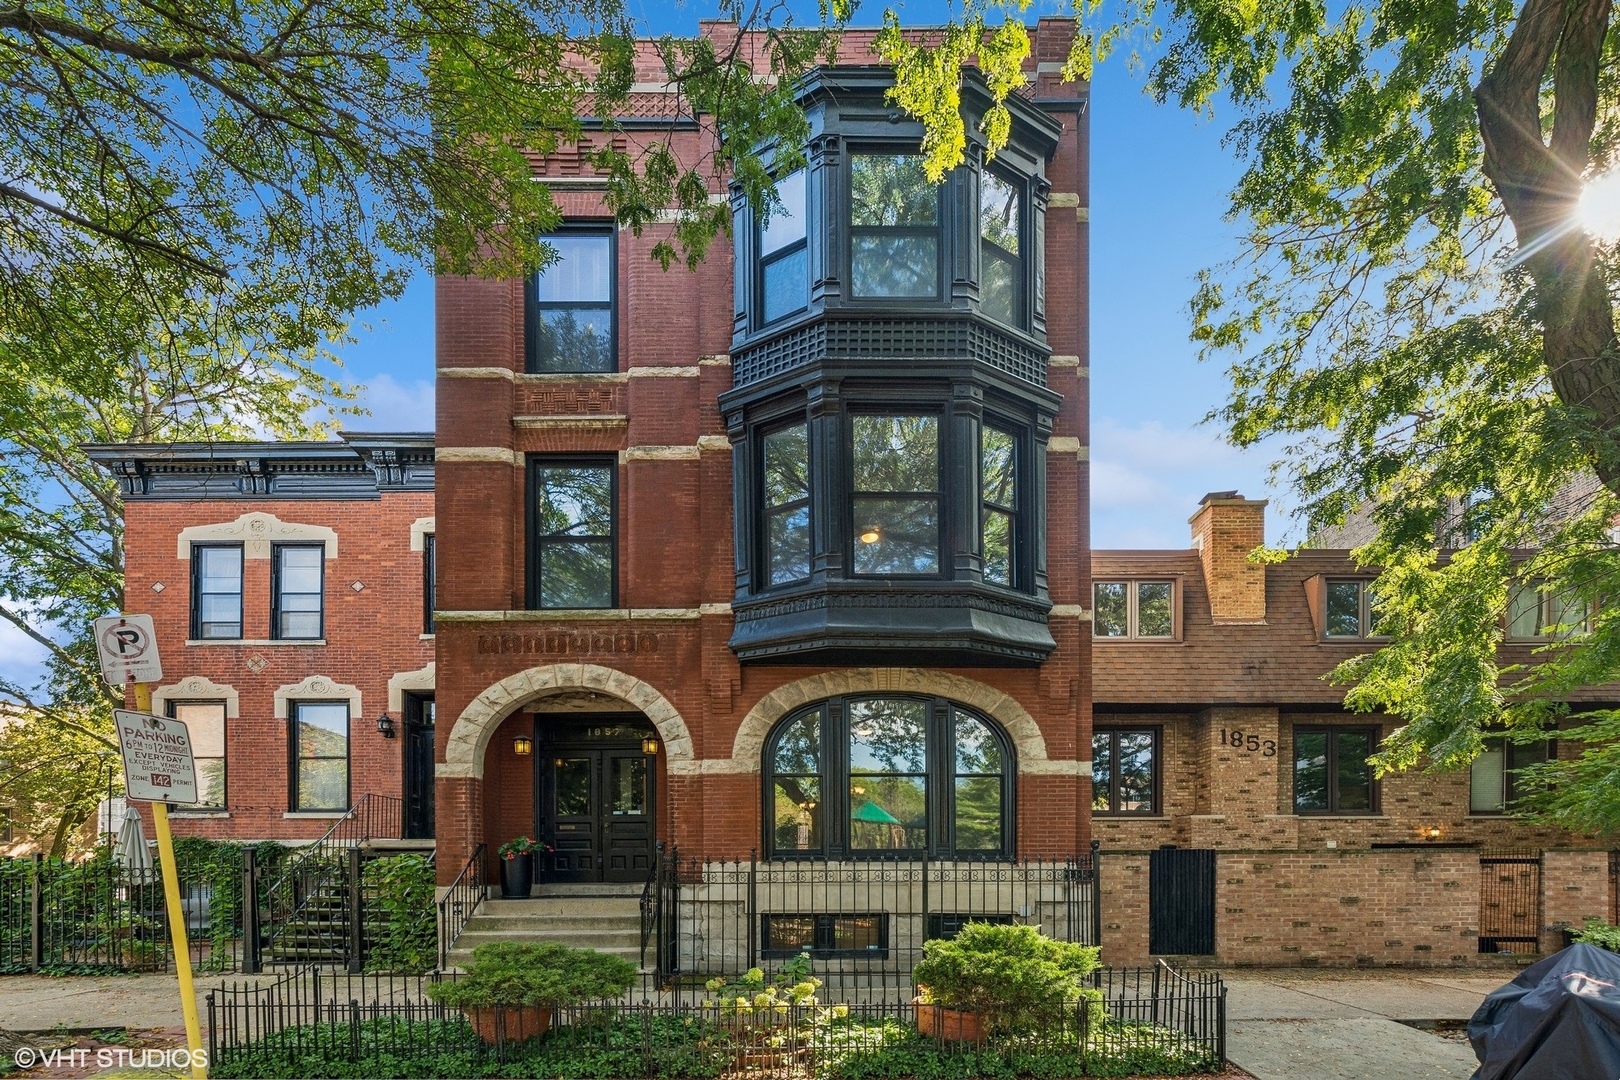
(895, 227)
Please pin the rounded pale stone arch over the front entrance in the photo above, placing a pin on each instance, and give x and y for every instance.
(464, 752)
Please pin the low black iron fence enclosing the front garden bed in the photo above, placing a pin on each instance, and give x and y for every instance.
(1151, 1021)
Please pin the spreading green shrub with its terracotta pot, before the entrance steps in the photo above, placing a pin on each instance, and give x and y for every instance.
(513, 987)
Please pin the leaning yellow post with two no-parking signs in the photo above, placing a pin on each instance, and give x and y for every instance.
(158, 768)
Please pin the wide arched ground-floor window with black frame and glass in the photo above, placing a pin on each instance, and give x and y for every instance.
(882, 776)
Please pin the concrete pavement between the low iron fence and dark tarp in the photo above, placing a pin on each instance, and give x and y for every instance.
(1339, 1026)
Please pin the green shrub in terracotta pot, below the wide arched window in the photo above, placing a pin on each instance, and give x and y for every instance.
(995, 979)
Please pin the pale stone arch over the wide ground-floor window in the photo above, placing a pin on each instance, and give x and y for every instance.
(1013, 718)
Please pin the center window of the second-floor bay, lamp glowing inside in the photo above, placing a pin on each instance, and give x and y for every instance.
(897, 500)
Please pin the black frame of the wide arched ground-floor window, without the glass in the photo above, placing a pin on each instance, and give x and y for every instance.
(835, 780)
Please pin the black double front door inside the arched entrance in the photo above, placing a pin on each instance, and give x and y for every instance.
(595, 807)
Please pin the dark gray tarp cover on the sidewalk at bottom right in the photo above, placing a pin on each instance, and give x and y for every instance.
(1558, 1021)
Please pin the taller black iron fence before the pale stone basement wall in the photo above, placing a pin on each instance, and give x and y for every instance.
(861, 922)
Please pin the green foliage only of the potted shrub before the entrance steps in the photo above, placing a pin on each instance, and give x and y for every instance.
(516, 974)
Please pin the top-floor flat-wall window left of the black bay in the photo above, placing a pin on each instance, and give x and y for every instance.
(571, 307)
